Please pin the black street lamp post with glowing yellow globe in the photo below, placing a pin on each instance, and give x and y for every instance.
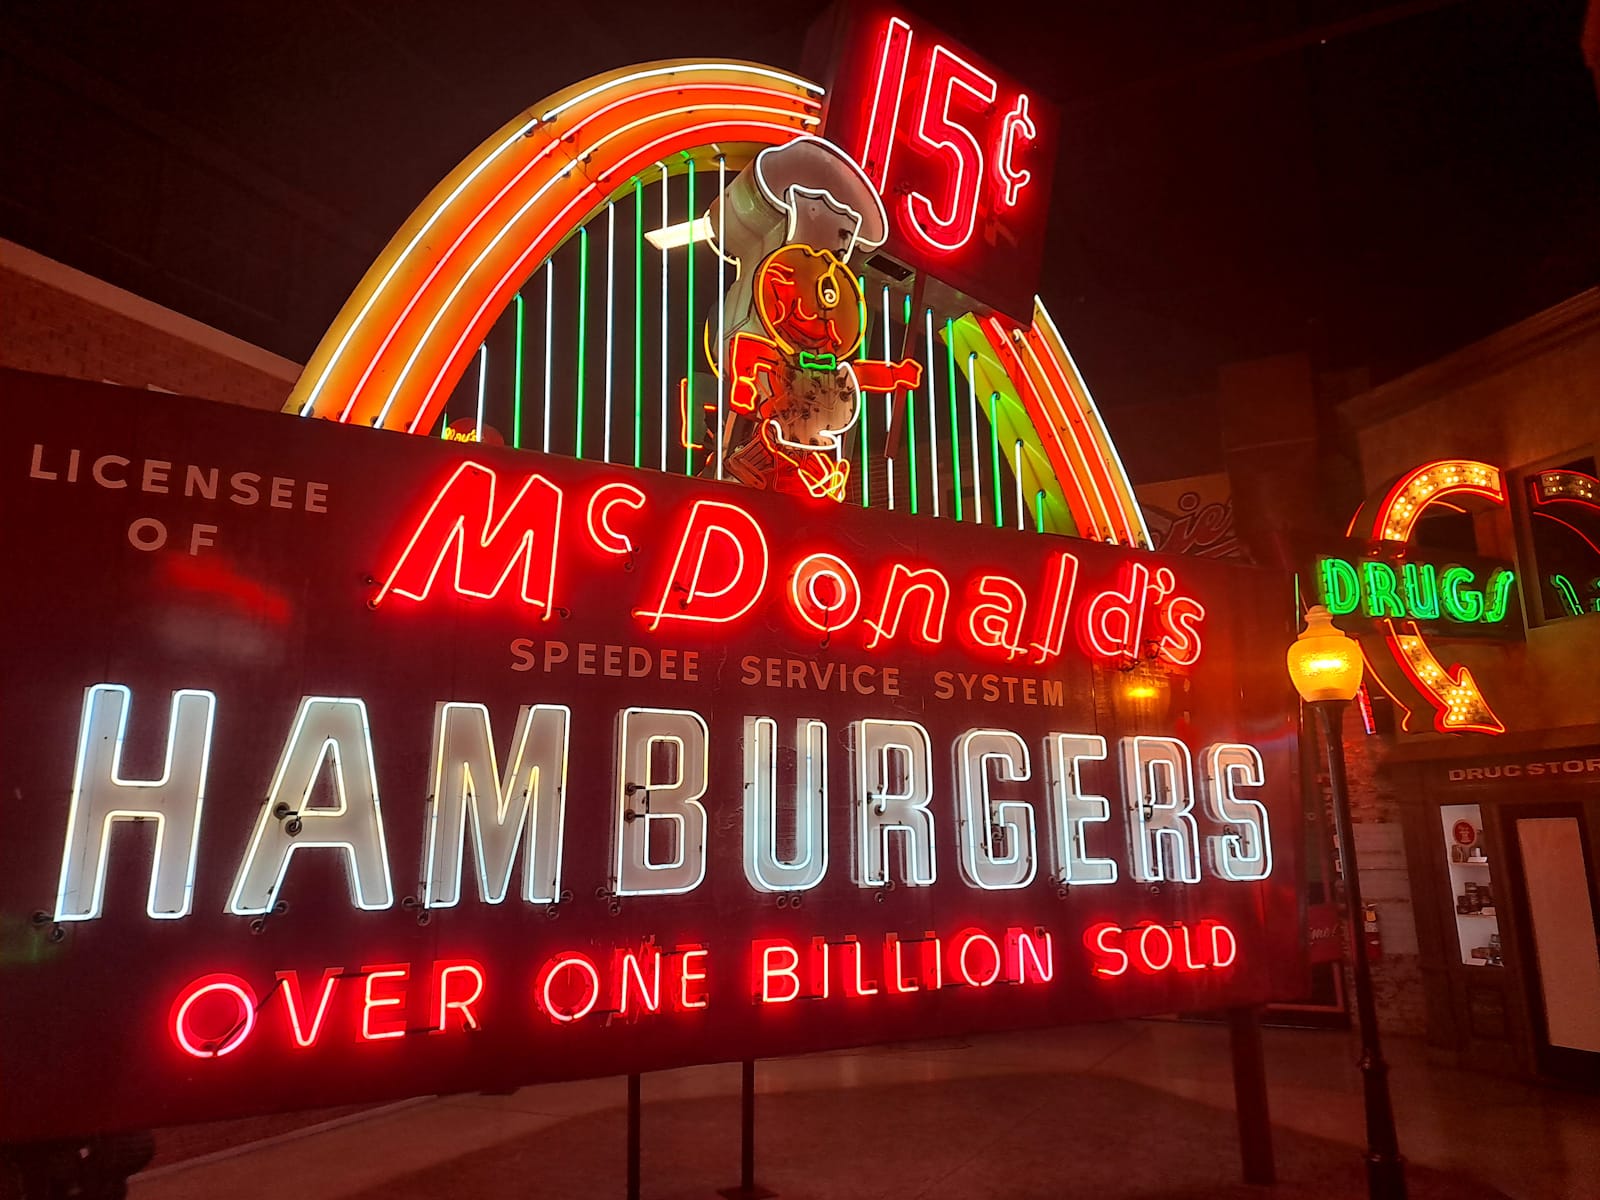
(1327, 670)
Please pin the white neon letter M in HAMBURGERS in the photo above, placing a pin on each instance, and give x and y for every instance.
(527, 806)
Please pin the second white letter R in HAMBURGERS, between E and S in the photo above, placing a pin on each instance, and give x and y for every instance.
(1159, 790)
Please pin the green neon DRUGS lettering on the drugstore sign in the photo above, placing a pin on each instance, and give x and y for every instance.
(1415, 591)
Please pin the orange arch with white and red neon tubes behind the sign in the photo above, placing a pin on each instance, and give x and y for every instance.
(414, 326)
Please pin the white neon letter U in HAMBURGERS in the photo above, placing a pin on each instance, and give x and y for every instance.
(764, 866)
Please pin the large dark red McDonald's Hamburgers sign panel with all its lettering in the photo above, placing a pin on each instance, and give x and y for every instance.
(348, 766)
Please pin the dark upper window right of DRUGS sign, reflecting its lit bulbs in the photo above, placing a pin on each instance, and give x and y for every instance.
(1564, 529)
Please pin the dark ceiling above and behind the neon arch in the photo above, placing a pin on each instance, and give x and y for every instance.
(1370, 183)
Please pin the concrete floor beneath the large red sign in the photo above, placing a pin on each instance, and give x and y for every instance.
(1127, 1110)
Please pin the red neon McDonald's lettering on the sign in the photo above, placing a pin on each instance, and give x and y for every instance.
(482, 538)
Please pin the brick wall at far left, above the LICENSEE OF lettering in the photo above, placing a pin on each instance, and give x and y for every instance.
(58, 321)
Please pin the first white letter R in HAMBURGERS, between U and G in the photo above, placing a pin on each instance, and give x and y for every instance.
(894, 801)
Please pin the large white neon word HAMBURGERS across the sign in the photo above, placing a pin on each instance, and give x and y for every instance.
(658, 818)
